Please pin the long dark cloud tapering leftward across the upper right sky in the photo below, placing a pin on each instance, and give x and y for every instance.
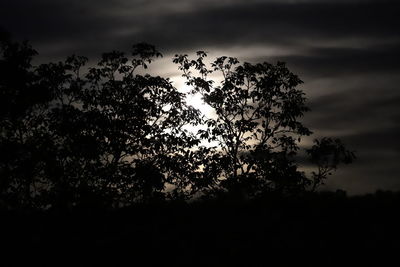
(280, 23)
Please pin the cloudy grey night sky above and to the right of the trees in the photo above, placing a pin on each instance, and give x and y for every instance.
(346, 52)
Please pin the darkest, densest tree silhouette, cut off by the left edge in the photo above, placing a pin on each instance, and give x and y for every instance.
(22, 107)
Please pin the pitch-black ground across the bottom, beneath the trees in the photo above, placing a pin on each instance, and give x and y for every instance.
(328, 229)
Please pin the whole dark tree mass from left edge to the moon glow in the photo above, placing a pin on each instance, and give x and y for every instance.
(109, 135)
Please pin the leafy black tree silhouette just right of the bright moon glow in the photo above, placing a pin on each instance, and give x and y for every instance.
(256, 126)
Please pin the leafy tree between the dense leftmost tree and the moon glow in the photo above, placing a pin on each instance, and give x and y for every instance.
(117, 135)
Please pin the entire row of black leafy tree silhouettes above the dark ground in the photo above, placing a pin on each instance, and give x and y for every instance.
(110, 136)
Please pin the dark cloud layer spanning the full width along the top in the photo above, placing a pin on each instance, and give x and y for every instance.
(93, 25)
